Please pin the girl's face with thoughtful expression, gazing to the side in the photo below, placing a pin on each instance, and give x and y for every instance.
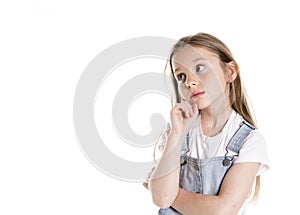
(200, 76)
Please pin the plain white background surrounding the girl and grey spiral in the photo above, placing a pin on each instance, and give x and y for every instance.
(46, 45)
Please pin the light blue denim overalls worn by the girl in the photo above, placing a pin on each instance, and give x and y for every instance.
(205, 176)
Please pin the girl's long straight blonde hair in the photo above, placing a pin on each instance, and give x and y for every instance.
(237, 94)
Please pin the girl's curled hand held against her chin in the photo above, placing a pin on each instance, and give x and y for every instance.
(182, 117)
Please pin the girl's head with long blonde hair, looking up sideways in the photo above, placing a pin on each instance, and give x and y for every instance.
(206, 73)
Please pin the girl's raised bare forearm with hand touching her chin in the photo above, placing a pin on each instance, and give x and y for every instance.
(164, 181)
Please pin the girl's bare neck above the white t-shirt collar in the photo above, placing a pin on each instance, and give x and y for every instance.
(214, 120)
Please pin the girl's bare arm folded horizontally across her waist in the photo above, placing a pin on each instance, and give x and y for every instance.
(234, 191)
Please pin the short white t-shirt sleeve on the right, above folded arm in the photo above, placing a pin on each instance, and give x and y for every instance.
(254, 150)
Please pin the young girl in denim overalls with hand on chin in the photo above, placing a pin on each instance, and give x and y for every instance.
(212, 152)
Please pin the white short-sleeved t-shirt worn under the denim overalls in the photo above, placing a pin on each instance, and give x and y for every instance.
(254, 148)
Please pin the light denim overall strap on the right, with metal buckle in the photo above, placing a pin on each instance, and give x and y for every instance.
(237, 141)
